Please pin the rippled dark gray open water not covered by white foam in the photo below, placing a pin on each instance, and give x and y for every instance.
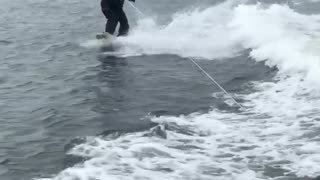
(53, 90)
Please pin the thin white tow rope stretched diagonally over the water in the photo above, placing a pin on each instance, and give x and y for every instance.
(205, 72)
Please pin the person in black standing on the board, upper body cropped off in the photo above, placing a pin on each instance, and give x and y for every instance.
(113, 11)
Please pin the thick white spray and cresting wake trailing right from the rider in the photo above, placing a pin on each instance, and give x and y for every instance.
(278, 34)
